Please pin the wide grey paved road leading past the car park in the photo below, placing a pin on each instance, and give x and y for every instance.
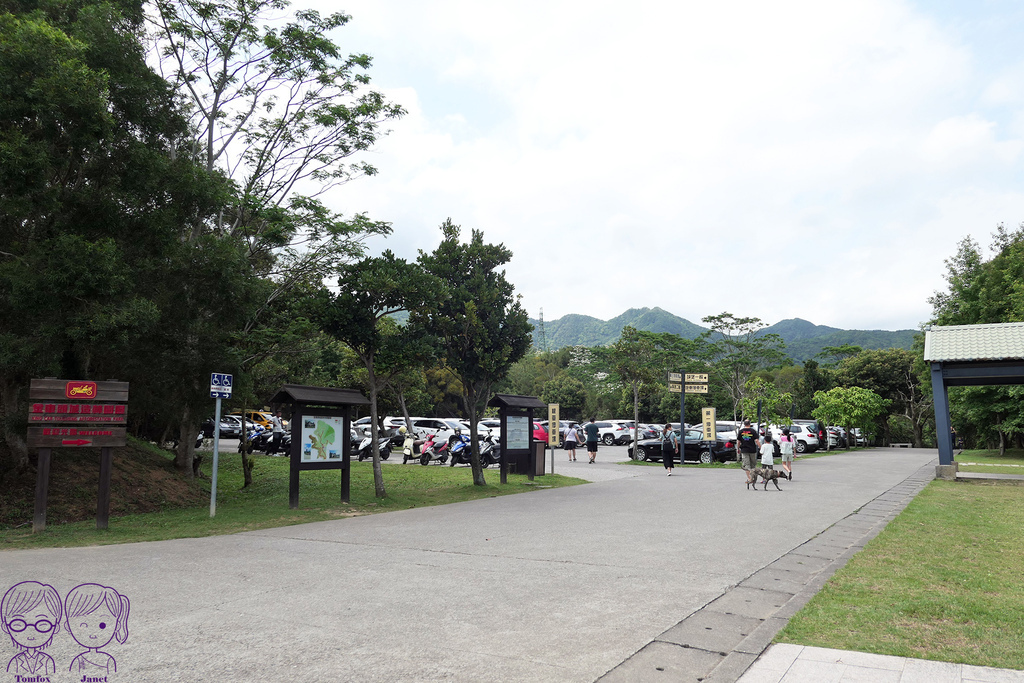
(559, 585)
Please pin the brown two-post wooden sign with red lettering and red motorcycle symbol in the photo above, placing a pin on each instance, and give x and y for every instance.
(75, 414)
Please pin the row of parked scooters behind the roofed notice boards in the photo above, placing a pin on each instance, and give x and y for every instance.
(455, 451)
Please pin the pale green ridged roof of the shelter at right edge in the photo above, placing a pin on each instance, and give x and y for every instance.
(999, 341)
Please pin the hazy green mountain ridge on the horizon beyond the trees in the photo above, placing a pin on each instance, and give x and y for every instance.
(803, 339)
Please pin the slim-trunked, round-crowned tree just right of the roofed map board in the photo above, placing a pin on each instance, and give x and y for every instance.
(370, 292)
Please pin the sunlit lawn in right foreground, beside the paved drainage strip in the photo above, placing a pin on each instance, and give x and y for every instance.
(943, 582)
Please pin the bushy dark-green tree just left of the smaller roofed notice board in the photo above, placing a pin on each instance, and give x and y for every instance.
(483, 326)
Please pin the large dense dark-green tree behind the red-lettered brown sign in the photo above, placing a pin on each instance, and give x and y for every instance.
(93, 197)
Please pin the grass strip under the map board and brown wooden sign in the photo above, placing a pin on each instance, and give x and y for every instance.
(265, 504)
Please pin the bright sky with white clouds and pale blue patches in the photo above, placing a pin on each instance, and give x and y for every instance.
(793, 159)
